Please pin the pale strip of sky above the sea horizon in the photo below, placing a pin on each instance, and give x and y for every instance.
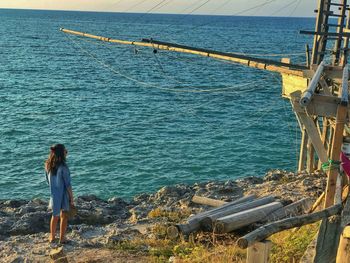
(300, 8)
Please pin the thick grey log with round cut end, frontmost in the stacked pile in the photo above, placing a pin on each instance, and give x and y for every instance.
(232, 222)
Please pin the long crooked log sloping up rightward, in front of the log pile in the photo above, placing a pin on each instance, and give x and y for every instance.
(267, 230)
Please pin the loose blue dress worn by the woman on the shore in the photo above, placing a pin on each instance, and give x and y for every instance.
(59, 184)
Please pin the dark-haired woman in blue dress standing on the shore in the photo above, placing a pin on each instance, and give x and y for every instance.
(58, 177)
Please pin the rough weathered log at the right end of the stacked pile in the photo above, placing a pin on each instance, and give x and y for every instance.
(290, 210)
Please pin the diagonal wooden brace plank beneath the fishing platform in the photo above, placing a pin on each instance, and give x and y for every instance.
(314, 136)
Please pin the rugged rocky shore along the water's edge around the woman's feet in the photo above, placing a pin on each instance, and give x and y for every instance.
(24, 225)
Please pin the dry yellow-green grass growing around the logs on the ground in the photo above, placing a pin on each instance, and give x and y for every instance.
(288, 246)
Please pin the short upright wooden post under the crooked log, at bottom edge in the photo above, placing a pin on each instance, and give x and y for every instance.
(259, 252)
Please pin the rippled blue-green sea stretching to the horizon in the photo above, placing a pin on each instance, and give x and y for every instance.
(134, 120)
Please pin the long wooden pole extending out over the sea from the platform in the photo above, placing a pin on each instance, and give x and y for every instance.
(259, 63)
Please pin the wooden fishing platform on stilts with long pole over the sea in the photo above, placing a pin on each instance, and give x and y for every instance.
(318, 92)
